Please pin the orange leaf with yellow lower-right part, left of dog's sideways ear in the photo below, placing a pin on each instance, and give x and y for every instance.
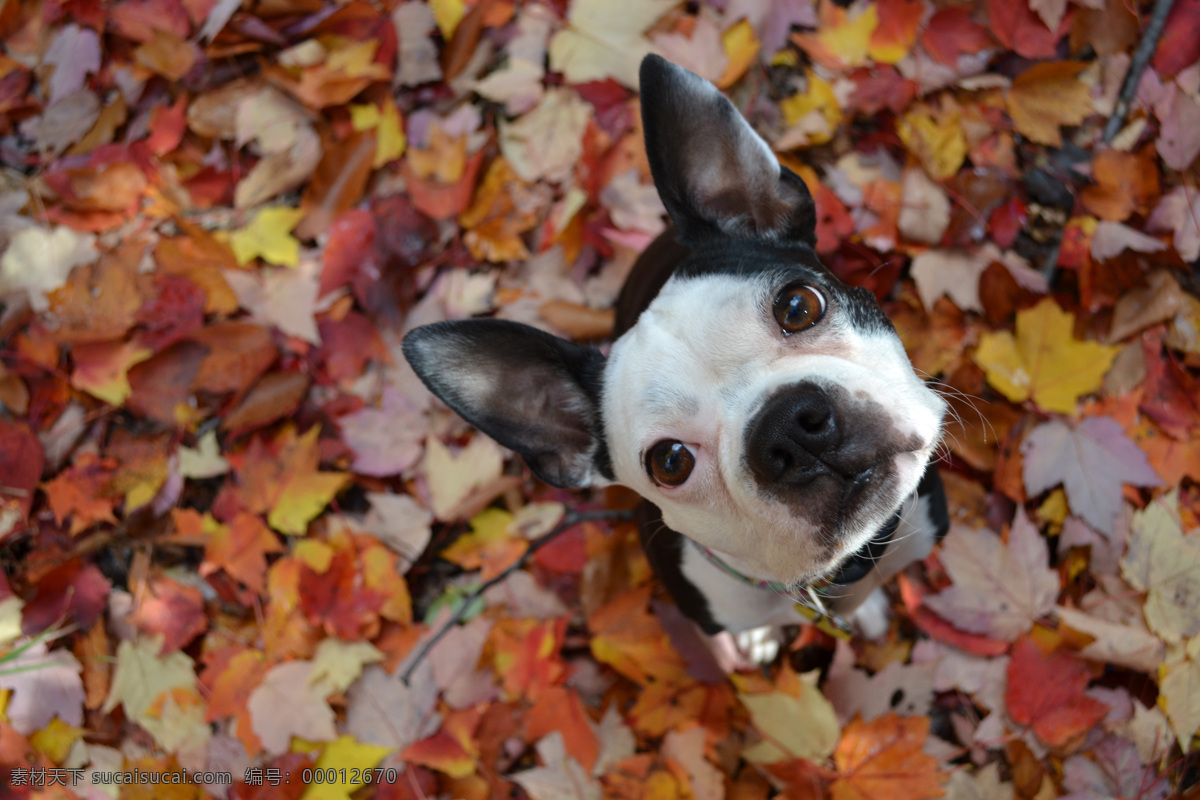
(284, 482)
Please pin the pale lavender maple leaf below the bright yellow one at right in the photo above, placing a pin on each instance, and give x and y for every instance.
(1091, 461)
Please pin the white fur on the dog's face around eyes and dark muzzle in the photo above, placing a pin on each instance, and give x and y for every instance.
(700, 364)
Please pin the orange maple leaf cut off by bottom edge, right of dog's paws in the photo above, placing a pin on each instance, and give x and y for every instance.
(884, 760)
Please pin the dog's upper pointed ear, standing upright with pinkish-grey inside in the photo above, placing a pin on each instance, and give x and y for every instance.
(712, 171)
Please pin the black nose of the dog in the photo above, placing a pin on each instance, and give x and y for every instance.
(790, 437)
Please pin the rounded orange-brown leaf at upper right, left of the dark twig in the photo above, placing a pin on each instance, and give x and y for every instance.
(1047, 97)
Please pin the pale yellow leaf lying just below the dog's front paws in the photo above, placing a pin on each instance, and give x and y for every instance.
(777, 714)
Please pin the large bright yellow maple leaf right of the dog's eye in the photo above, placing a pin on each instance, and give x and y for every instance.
(1045, 362)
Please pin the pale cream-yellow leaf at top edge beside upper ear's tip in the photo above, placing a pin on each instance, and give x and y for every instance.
(598, 44)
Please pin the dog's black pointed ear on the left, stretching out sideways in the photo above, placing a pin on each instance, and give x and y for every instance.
(533, 393)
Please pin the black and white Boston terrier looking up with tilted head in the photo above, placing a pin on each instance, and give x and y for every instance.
(765, 411)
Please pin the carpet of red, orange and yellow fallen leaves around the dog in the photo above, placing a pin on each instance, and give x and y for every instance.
(231, 518)
